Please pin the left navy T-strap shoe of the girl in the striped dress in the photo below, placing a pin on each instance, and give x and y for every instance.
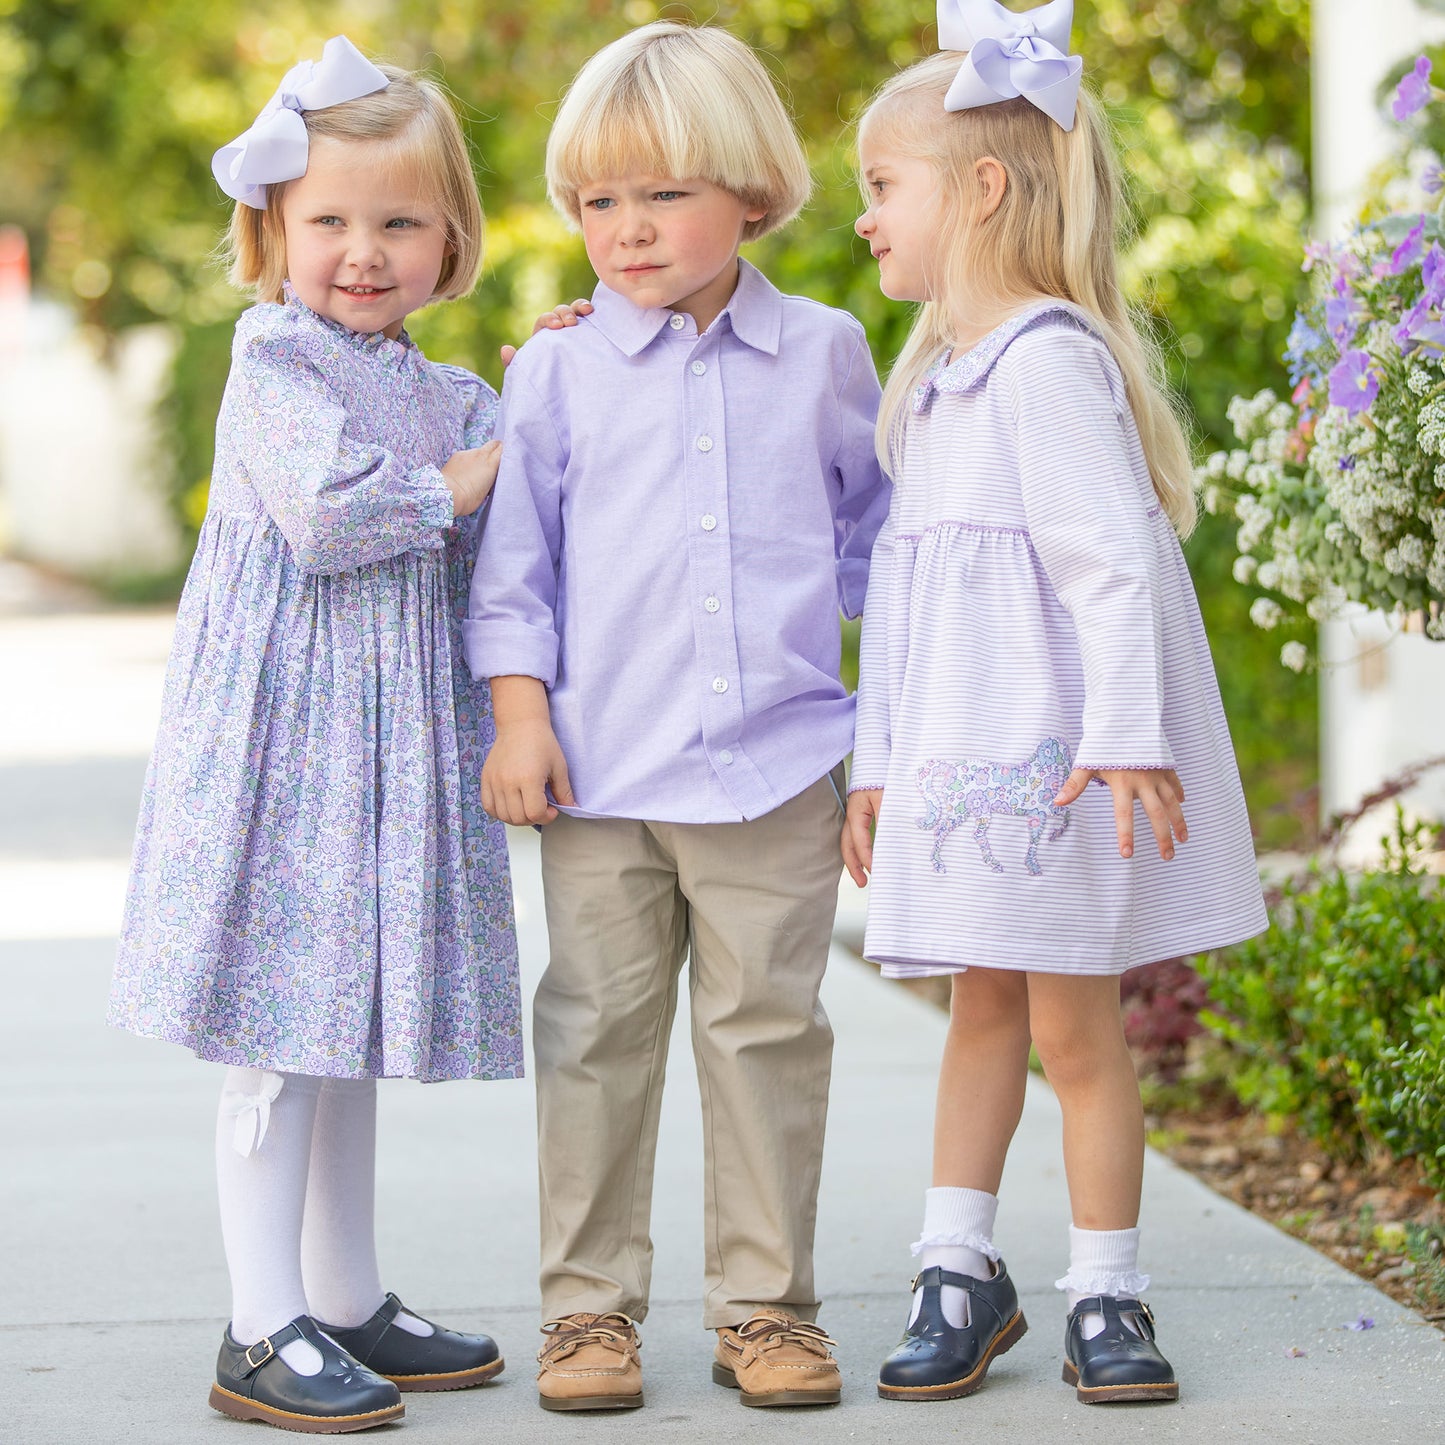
(934, 1360)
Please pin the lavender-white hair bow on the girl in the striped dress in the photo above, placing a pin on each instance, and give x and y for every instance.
(1012, 56)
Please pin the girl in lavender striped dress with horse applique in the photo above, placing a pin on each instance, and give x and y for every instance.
(1030, 628)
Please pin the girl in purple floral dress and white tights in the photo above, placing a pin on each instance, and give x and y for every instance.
(317, 900)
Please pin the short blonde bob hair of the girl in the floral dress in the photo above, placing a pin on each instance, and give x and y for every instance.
(411, 126)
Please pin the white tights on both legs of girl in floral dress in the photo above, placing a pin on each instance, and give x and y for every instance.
(296, 1163)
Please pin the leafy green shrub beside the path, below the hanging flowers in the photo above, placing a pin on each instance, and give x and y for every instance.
(1337, 1015)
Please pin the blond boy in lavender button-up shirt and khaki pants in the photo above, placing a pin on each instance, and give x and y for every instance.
(689, 495)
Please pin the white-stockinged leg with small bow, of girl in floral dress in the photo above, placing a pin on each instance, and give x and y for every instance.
(262, 1160)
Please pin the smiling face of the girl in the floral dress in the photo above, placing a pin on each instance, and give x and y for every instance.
(365, 245)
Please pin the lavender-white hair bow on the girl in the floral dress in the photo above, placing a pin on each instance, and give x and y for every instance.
(277, 148)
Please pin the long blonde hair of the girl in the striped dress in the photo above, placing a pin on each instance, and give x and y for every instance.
(1054, 235)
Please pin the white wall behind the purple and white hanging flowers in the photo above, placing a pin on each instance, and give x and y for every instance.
(1382, 694)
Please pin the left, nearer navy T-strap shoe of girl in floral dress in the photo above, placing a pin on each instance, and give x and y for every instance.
(254, 1384)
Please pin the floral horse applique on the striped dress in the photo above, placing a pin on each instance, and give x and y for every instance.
(976, 790)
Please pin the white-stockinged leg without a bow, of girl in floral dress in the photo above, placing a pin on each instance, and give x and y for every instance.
(339, 1235)
